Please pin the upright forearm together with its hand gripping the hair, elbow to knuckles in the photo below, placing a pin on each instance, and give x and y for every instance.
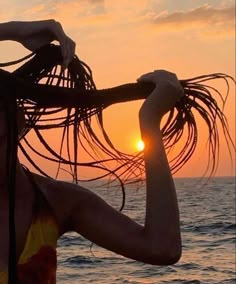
(162, 214)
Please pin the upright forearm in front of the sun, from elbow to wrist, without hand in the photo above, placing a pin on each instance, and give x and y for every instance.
(162, 226)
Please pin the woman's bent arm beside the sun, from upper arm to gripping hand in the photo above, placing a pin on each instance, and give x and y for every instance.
(158, 241)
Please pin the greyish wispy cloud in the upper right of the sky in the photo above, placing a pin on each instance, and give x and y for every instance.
(205, 19)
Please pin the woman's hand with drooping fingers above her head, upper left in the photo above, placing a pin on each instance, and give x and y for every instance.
(33, 35)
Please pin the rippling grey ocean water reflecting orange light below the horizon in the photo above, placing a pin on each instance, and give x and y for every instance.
(207, 213)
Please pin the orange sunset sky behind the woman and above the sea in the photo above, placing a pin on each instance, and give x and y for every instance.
(121, 40)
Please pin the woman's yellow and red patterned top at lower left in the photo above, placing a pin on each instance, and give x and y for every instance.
(38, 261)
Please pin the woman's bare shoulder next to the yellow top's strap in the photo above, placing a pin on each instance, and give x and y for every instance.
(62, 197)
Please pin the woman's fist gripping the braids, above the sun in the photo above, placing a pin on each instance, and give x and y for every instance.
(167, 92)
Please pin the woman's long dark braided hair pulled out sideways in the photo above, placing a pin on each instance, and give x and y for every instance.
(52, 98)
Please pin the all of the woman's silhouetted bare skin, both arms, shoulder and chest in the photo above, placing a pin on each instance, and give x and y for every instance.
(77, 209)
